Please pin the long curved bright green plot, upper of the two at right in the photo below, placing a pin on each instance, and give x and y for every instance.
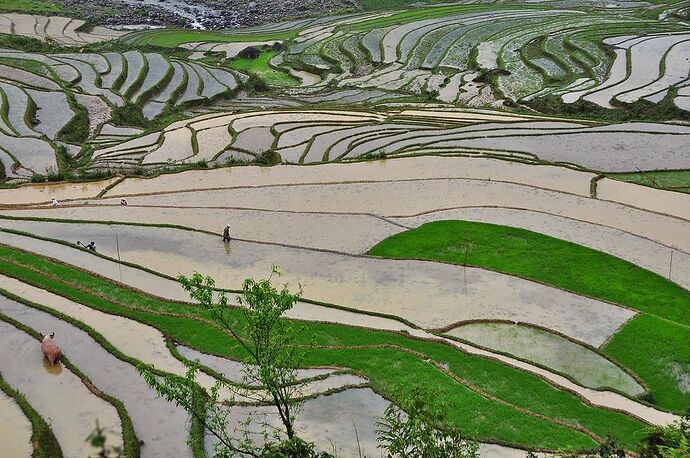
(544, 259)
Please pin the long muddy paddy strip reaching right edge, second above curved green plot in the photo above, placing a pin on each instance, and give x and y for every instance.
(420, 196)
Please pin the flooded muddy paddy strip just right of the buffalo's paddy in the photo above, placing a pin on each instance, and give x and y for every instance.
(157, 422)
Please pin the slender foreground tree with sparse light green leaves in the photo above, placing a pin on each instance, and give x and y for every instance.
(272, 358)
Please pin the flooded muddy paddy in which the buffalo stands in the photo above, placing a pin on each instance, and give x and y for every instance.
(58, 395)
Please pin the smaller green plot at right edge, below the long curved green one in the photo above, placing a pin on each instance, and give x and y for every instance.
(657, 351)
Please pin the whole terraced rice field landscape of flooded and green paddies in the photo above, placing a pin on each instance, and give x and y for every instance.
(484, 199)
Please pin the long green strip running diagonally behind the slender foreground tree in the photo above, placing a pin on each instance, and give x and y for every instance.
(384, 357)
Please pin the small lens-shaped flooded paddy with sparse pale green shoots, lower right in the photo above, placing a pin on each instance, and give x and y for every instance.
(585, 366)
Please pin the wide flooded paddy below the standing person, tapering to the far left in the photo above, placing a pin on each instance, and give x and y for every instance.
(449, 294)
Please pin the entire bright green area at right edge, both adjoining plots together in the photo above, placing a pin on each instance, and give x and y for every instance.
(650, 345)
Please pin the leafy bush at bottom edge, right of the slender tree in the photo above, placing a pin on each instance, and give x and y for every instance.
(417, 428)
